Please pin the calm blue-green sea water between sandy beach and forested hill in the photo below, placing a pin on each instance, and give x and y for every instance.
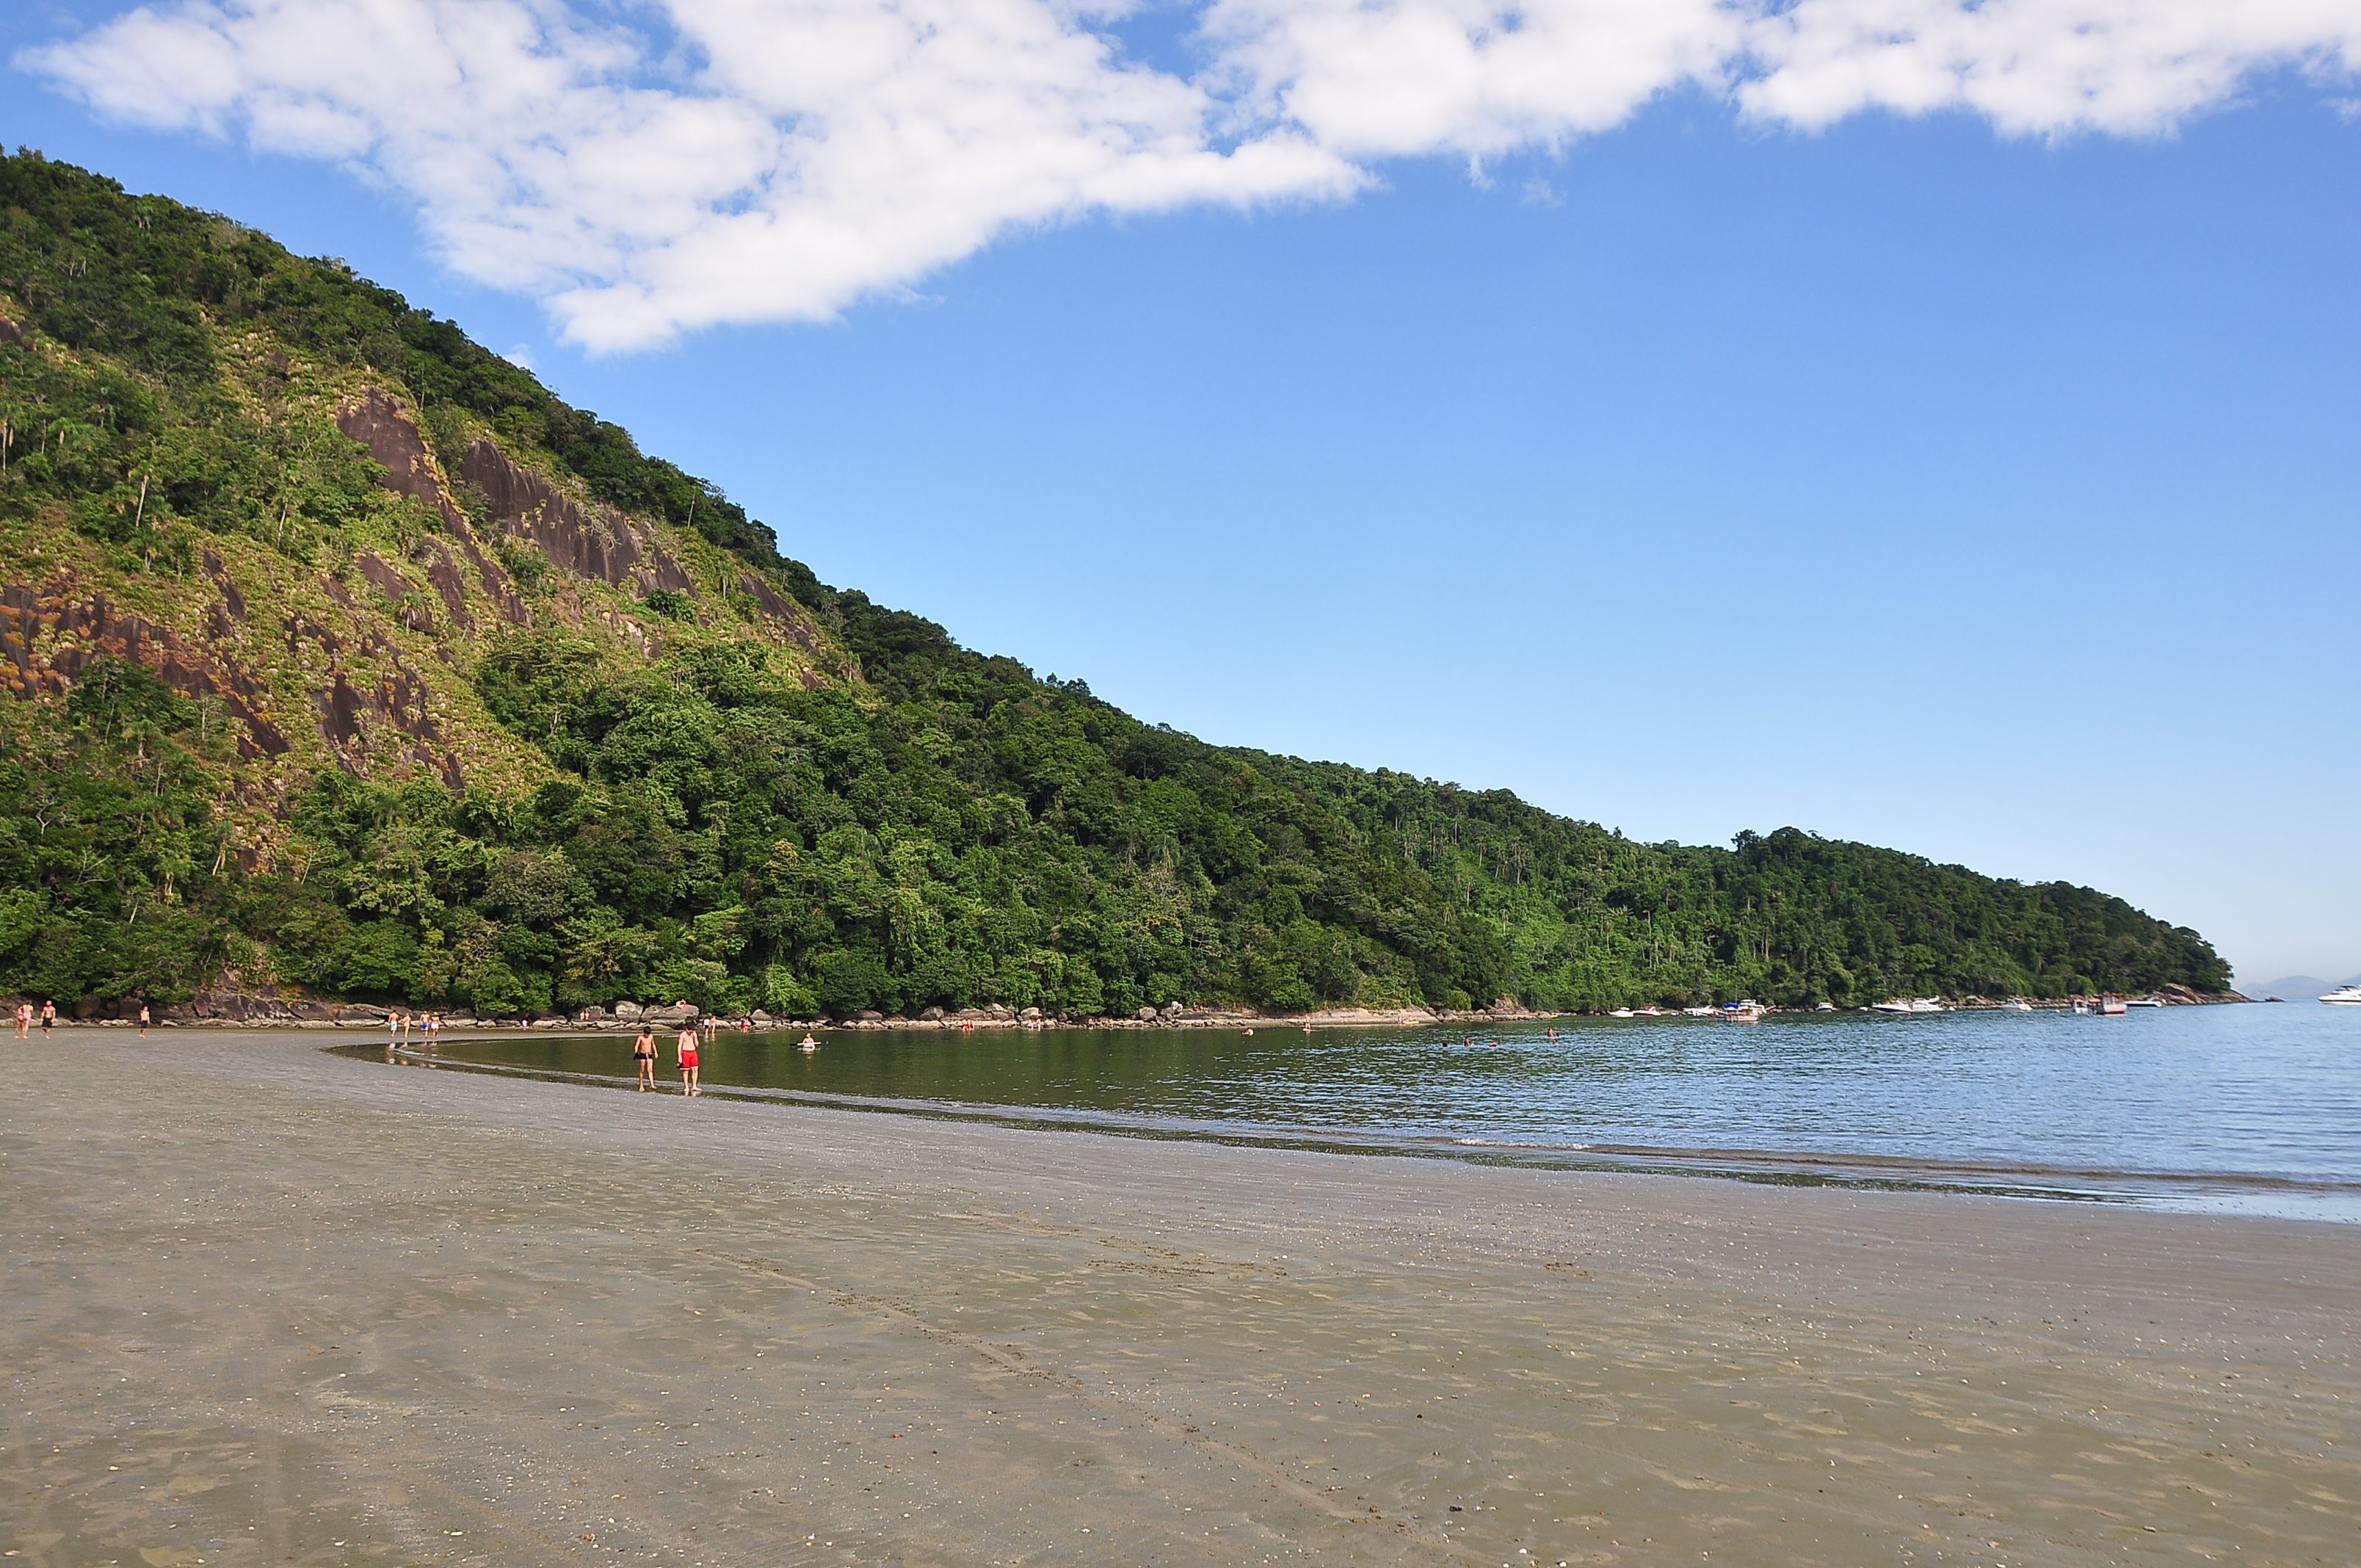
(2239, 1109)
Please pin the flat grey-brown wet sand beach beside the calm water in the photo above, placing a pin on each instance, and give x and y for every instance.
(275, 1307)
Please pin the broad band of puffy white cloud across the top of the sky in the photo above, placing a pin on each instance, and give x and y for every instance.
(707, 162)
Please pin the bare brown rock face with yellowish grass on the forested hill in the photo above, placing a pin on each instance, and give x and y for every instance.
(360, 653)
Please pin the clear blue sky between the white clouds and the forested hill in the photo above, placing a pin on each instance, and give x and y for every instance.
(1982, 495)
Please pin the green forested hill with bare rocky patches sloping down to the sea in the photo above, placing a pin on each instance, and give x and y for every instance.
(346, 658)
